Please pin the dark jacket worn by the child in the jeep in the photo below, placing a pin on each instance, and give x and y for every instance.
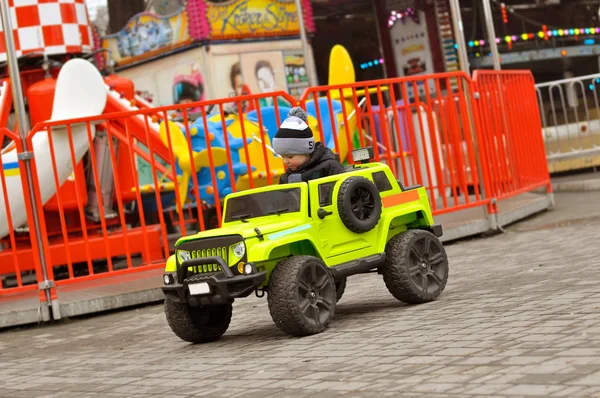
(322, 163)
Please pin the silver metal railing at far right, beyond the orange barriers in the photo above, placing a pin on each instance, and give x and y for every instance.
(570, 113)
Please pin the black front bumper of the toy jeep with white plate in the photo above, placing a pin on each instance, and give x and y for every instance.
(224, 285)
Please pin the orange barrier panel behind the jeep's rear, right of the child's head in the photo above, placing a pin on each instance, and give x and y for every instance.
(420, 127)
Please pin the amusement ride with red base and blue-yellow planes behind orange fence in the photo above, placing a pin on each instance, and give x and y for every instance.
(53, 86)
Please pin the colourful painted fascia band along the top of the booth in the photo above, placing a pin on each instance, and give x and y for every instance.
(148, 35)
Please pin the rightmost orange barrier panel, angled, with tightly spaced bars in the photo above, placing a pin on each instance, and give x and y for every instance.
(512, 144)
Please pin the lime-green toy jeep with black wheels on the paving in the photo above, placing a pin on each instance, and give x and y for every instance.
(299, 242)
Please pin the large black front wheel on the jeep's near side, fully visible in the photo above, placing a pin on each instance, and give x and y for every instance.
(301, 296)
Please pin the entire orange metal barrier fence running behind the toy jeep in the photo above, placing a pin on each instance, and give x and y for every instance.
(117, 190)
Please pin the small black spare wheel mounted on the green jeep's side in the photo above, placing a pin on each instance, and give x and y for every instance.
(359, 204)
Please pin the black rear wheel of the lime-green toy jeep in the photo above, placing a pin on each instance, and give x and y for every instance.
(416, 267)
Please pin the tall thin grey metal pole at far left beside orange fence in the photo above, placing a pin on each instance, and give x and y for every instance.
(26, 155)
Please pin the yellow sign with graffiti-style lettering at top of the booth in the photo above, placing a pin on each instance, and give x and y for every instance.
(252, 18)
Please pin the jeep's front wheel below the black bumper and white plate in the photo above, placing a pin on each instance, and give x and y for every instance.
(197, 324)
